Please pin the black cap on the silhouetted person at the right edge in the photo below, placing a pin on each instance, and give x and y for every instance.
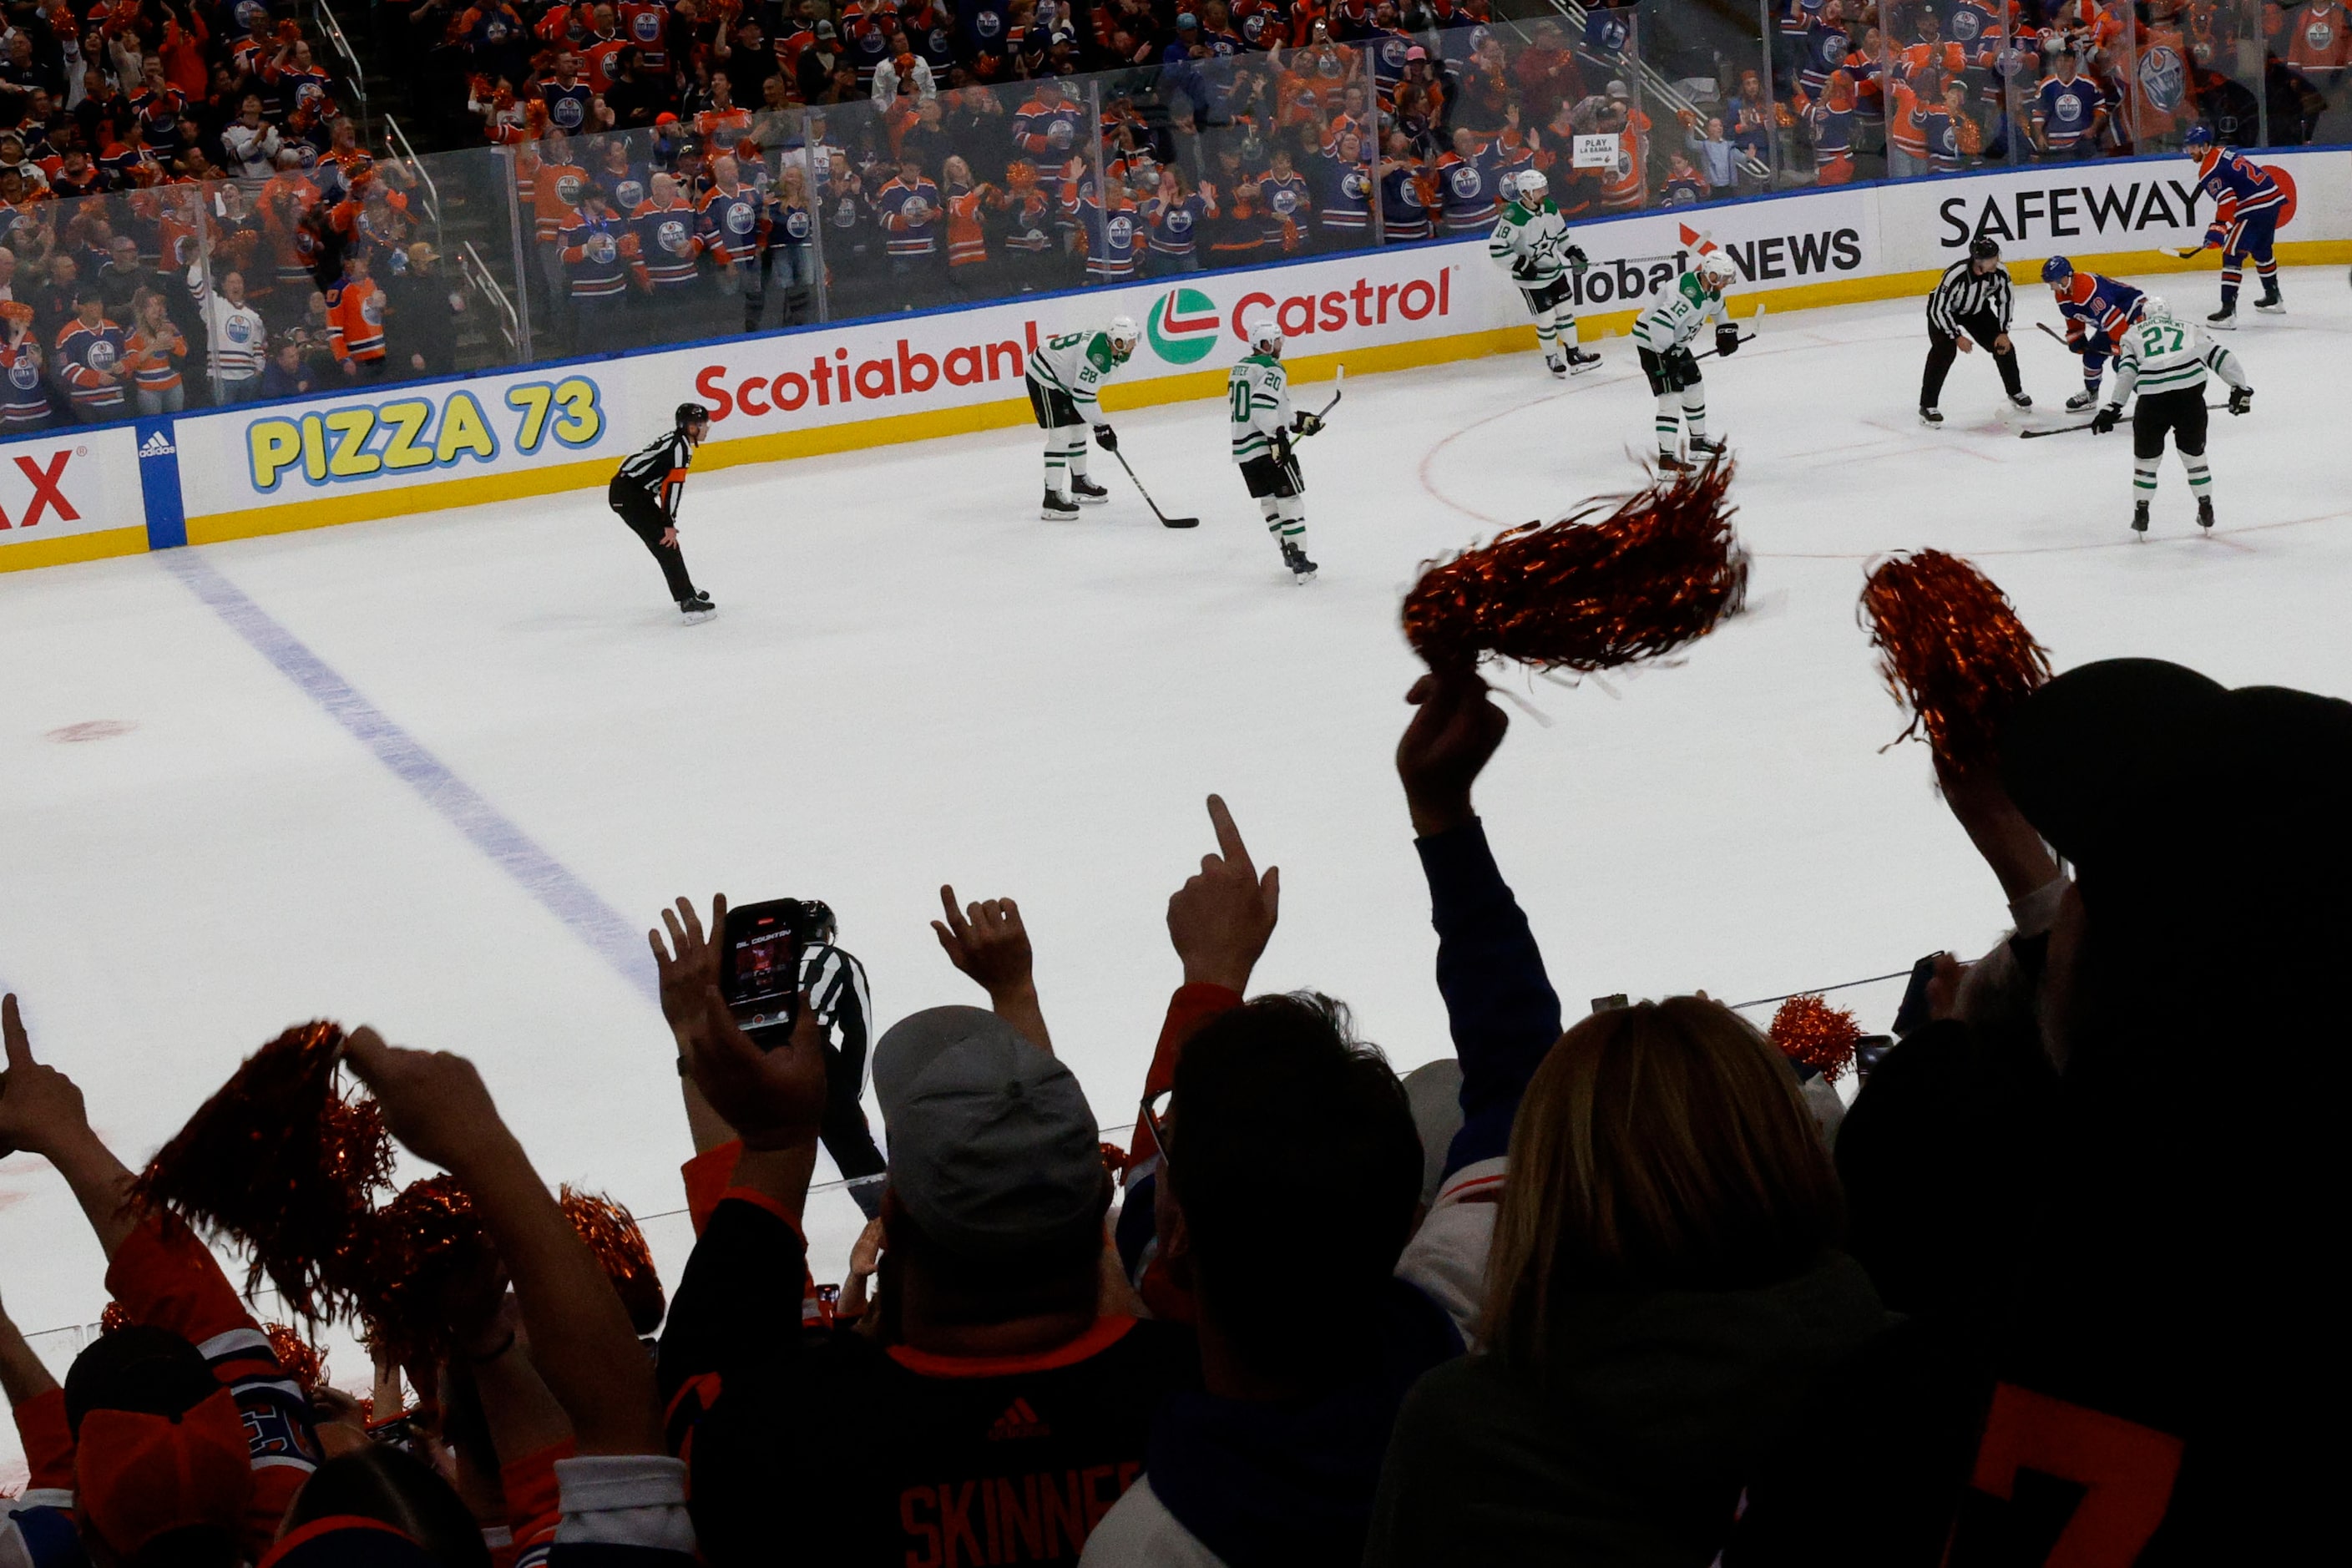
(2151, 775)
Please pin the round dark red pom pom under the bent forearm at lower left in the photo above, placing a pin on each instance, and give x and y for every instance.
(427, 1261)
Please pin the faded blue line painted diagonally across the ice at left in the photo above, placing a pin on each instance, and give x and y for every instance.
(540, 873)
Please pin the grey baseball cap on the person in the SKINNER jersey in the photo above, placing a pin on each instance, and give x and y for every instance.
(991, 1141)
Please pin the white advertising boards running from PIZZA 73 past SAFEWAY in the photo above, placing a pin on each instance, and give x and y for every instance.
(413, 448)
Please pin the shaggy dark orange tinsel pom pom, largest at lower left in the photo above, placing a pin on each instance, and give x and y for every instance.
(283, 1162)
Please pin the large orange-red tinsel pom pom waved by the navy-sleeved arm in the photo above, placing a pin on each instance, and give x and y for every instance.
(1650, 577)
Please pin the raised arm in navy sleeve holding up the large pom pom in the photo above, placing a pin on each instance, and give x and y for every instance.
(1499, 1003)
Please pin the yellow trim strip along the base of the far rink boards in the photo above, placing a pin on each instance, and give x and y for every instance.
(895, 429)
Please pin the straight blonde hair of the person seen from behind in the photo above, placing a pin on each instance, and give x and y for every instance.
(1659, 1146)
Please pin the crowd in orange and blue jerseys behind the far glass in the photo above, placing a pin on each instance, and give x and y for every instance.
(192, 215)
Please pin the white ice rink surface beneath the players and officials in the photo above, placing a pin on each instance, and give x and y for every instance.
(914, 681)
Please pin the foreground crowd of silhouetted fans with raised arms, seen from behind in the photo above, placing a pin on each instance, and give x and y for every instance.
(1619, 1294)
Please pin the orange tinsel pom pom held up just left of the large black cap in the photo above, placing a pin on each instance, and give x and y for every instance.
(1953, 652)
